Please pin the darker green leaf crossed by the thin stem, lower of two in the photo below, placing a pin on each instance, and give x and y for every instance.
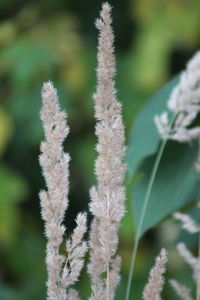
(175, 184)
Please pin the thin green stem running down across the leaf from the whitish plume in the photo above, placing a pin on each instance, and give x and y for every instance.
(146, 200)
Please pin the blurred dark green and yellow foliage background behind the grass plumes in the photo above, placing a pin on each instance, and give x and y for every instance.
(56, 40)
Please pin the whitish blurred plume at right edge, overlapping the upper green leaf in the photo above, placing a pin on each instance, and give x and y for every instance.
(184, 102)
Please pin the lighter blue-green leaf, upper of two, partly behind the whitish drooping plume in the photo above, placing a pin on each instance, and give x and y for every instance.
(144, 138)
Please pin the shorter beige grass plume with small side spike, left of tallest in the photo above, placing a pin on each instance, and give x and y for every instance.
(63, 271)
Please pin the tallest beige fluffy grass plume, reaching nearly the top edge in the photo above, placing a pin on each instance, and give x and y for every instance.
(107, 198)
